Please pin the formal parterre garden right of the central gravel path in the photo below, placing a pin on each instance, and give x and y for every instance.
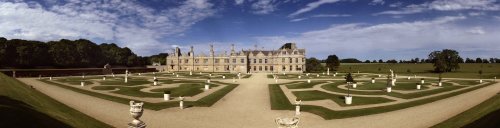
(344, 95)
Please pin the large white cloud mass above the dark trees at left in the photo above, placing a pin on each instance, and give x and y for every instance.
(127, 23)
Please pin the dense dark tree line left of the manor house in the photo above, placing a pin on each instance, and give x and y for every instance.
(82, 53)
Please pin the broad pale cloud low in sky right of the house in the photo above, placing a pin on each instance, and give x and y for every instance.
(393, 40)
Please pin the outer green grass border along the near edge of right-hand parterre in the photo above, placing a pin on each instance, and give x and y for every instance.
(280, 102)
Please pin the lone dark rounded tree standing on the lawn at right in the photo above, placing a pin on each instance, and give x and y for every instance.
(445, 60)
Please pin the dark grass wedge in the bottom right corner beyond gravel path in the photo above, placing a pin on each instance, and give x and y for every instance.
(476, 117)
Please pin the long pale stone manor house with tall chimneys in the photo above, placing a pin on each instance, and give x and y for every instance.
(288, 58)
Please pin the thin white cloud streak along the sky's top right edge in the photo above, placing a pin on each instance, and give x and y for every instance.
(447, 5)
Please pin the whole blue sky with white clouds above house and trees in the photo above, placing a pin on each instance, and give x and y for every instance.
(364, 29)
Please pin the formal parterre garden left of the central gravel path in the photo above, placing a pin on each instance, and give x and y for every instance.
(157, 90)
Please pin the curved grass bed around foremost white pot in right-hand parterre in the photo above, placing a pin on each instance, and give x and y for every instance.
(339, 99)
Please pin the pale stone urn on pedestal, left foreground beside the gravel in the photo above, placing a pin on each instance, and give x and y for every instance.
(136, 112)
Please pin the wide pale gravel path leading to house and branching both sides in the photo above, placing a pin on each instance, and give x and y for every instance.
(248, 106)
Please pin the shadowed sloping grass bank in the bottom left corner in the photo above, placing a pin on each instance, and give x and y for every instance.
(23, 106)
